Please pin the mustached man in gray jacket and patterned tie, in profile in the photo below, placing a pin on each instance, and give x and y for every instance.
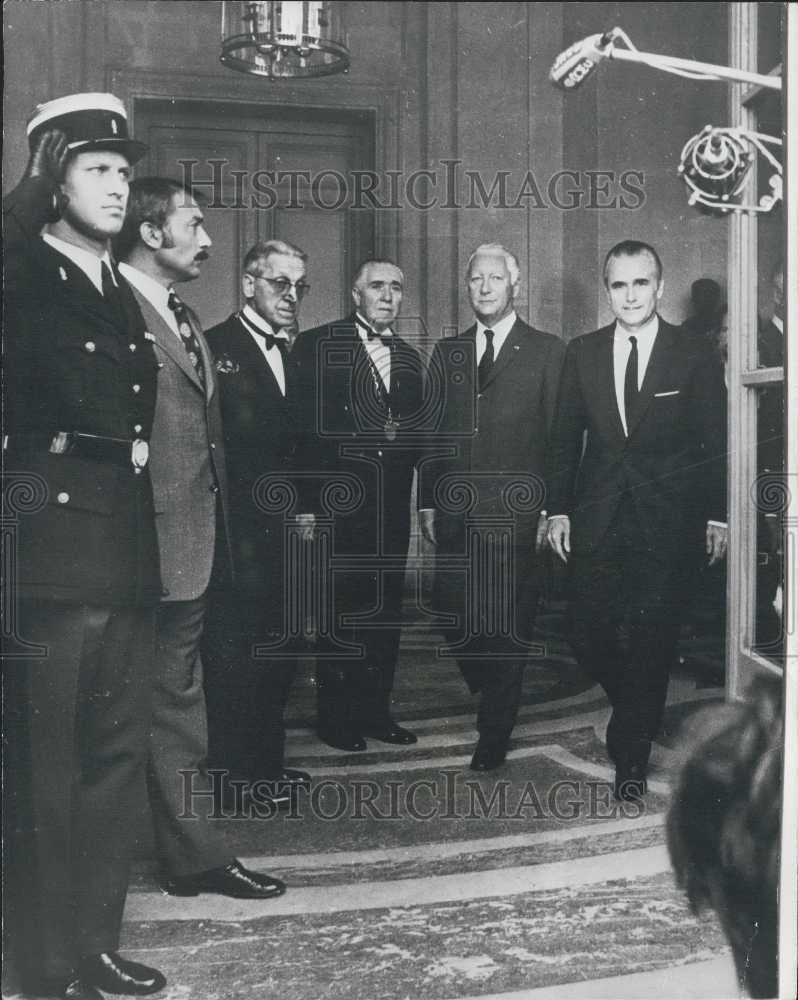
(163, 242)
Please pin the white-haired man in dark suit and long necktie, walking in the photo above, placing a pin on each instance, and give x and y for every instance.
(497, 384)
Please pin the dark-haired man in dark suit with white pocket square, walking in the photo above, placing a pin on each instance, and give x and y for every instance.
(637, 460)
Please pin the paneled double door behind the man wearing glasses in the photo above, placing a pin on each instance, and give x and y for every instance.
(267, 173)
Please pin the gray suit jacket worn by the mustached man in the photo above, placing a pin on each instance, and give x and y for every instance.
(186, 461)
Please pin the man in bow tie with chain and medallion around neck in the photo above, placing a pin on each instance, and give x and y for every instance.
(361, 391)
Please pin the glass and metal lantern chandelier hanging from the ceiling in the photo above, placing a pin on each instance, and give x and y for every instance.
(283, 40)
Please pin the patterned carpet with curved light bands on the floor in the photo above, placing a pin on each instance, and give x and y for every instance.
(411, 877)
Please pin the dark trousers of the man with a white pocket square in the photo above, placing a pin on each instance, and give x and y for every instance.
(626, 580)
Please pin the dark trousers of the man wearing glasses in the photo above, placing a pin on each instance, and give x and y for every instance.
(246, 692)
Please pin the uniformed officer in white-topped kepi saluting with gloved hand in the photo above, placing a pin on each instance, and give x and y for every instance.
(80, 377)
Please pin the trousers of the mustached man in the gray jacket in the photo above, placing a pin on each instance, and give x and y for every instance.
(179, 742)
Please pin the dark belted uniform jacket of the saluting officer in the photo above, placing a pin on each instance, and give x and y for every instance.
(74, 364)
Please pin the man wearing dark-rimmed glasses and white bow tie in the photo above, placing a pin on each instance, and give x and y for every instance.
(246, 693)
